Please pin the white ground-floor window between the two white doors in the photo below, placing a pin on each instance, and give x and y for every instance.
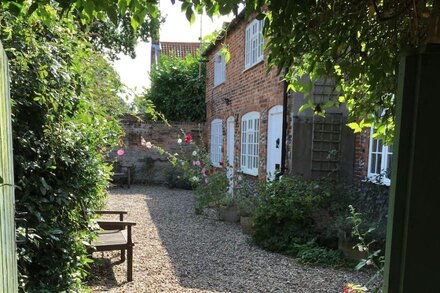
(250, 125)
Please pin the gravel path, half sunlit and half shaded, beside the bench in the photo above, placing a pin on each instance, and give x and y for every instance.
(177, 251)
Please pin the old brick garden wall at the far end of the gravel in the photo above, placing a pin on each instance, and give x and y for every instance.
(149, 166)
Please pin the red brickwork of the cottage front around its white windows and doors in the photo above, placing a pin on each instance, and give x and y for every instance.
(247, 90)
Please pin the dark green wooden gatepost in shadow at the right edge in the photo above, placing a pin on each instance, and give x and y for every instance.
(413, 243)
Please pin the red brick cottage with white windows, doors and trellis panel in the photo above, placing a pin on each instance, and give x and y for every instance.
(246, 131)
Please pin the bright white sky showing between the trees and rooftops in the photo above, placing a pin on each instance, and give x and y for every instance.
(134, 73)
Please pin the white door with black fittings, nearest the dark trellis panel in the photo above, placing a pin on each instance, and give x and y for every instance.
(274, 141)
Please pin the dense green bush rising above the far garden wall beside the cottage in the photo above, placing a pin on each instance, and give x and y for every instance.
(177, 89)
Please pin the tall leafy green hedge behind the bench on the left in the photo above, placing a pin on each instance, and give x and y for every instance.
(61, 134)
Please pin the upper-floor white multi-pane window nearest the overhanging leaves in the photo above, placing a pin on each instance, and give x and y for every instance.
(254, 43)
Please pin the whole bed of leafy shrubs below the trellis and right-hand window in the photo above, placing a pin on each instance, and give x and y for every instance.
(303, 218)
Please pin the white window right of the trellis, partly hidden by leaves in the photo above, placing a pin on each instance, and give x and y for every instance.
(379, 161)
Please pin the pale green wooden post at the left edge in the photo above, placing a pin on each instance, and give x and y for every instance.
(8, 254)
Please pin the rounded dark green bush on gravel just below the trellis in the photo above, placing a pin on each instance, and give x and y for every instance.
(293, 211)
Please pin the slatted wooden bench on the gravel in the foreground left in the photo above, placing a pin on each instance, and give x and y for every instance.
(116, 235)
